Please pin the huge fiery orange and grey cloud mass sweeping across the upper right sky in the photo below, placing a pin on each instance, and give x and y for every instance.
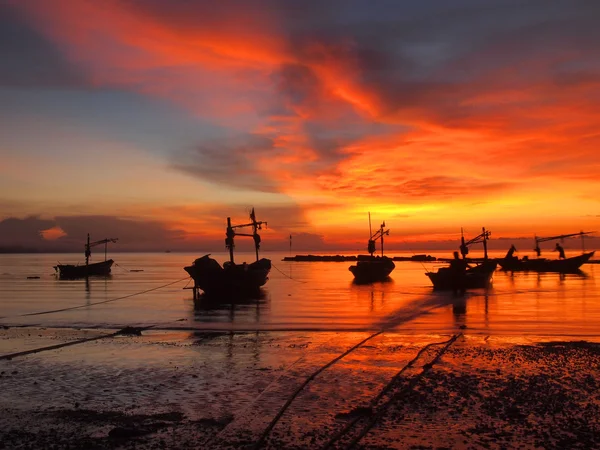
(350, 103)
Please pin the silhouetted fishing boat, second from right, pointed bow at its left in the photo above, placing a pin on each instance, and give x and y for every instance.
(459, 276)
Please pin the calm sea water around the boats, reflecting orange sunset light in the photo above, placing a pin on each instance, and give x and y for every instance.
(298, 296)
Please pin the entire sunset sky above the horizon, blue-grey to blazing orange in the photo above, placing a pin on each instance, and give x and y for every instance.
(154, 121)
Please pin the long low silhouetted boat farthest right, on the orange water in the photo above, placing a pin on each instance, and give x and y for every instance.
(563, 265)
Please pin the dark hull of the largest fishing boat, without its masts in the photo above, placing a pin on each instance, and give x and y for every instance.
(213, 279)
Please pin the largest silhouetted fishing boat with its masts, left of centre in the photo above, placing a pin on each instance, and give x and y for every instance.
(231, 278)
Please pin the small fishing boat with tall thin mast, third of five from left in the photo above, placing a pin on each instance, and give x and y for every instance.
(372, 268)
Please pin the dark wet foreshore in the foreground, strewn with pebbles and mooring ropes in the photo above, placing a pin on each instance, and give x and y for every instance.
(219, 390)
